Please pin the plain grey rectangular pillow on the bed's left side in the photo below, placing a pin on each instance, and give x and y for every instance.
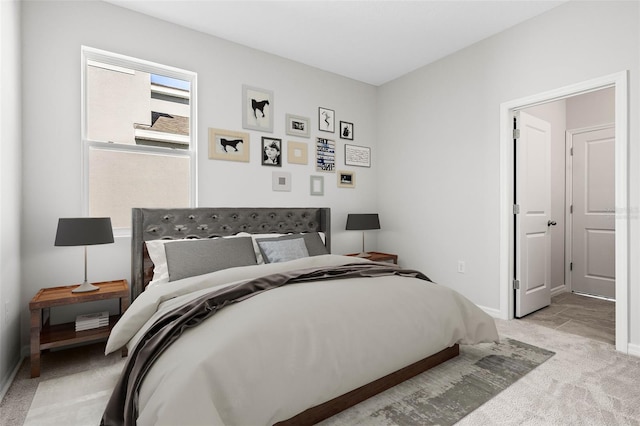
(196, 257)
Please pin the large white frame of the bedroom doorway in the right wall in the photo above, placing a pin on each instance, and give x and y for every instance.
(506, 254)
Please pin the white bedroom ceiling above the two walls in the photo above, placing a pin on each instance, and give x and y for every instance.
(369, 41)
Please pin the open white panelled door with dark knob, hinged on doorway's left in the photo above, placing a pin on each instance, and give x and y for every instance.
(533, 204)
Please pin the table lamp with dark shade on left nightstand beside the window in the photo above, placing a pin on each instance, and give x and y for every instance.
(84, 231)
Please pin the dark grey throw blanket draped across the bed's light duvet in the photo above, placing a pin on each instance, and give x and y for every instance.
(122, 408)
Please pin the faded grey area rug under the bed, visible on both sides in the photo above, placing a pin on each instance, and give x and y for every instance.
(440, 396)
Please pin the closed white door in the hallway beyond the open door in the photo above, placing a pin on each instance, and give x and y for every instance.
(593, 217)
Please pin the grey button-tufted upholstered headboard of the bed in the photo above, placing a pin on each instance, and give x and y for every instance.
(205, 222)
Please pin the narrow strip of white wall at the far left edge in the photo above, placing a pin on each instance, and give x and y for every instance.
(10, 172)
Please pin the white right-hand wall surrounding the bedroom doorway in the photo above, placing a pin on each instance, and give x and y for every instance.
(439, 139)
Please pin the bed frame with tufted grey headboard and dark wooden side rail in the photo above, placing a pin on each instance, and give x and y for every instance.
(152, 224)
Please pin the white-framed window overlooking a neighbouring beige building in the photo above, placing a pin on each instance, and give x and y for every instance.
(138, 136)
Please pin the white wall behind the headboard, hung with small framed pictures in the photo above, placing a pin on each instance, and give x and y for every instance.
(53, 32)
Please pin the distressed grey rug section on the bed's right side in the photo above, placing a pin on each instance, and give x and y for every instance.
(450, 391)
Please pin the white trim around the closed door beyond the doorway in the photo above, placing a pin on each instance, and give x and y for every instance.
(568, 229)
